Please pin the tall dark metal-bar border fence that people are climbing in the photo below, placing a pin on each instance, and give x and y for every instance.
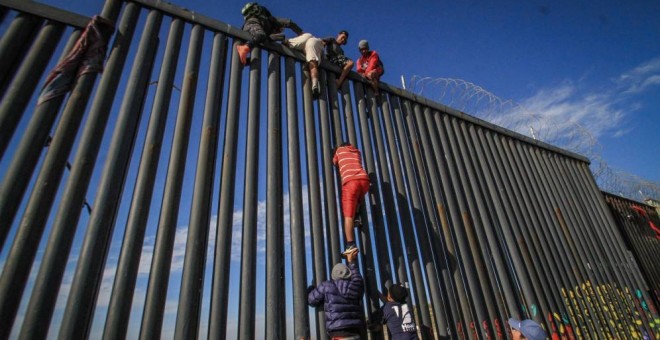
(481, 223)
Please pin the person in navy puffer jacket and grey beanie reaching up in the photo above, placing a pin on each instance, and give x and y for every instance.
(340, 298)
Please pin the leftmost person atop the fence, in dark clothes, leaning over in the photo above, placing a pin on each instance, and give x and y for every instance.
(262, 26)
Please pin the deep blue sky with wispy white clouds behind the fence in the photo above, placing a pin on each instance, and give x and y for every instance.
(596, 64)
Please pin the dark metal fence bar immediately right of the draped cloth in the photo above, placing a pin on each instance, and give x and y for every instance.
(42, 302)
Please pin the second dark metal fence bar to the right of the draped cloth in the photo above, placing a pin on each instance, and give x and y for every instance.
(89, 271)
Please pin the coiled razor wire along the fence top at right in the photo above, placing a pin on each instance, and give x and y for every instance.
(567, 134)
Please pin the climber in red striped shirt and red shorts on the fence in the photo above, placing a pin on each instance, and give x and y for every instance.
(354, 184)
